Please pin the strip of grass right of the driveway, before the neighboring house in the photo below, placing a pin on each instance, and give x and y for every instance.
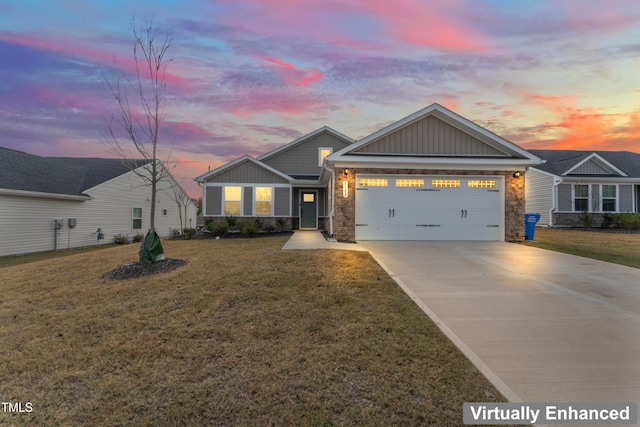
(619, 248)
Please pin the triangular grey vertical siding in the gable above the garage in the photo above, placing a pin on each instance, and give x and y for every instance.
(430, 136)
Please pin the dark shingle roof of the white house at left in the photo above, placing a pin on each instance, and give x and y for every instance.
(20, 171)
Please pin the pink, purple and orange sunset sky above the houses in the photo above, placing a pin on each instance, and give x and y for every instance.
(250, 75)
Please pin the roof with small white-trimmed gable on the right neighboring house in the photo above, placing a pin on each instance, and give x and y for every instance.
(589, 163)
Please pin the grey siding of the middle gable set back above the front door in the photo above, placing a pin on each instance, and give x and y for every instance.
(302, 159)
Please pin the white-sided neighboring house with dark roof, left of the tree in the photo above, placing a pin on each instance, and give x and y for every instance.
(86, 194)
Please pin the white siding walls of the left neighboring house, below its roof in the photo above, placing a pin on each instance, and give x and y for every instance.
(26, 223)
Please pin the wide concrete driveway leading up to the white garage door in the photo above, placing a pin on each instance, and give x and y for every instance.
(542, 326)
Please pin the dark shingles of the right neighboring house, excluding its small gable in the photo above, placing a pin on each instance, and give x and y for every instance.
(559, 161)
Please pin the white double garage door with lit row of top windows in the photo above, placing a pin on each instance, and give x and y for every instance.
(411, 207)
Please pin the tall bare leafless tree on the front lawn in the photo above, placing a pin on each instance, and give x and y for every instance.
(139, 110)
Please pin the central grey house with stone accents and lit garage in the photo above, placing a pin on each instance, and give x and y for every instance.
(433, 175)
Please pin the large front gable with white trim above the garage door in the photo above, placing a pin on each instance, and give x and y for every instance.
(420, 143)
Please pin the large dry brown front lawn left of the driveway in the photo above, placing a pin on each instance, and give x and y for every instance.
(245, 334)
